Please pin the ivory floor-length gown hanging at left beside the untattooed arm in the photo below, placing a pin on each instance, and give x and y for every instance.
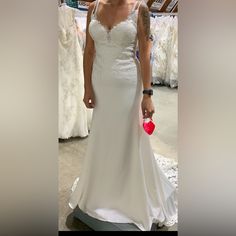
(73, 118)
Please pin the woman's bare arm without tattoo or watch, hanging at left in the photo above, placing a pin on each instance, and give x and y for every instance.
(89, 50)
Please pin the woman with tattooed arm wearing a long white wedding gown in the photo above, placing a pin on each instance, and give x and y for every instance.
(121, 181)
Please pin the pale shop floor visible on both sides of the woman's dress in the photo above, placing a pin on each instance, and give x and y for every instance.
(72, 152)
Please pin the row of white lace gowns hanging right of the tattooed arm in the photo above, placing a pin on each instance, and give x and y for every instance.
(165, 50)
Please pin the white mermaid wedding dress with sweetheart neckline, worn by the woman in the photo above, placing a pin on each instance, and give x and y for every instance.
(121, 180)
